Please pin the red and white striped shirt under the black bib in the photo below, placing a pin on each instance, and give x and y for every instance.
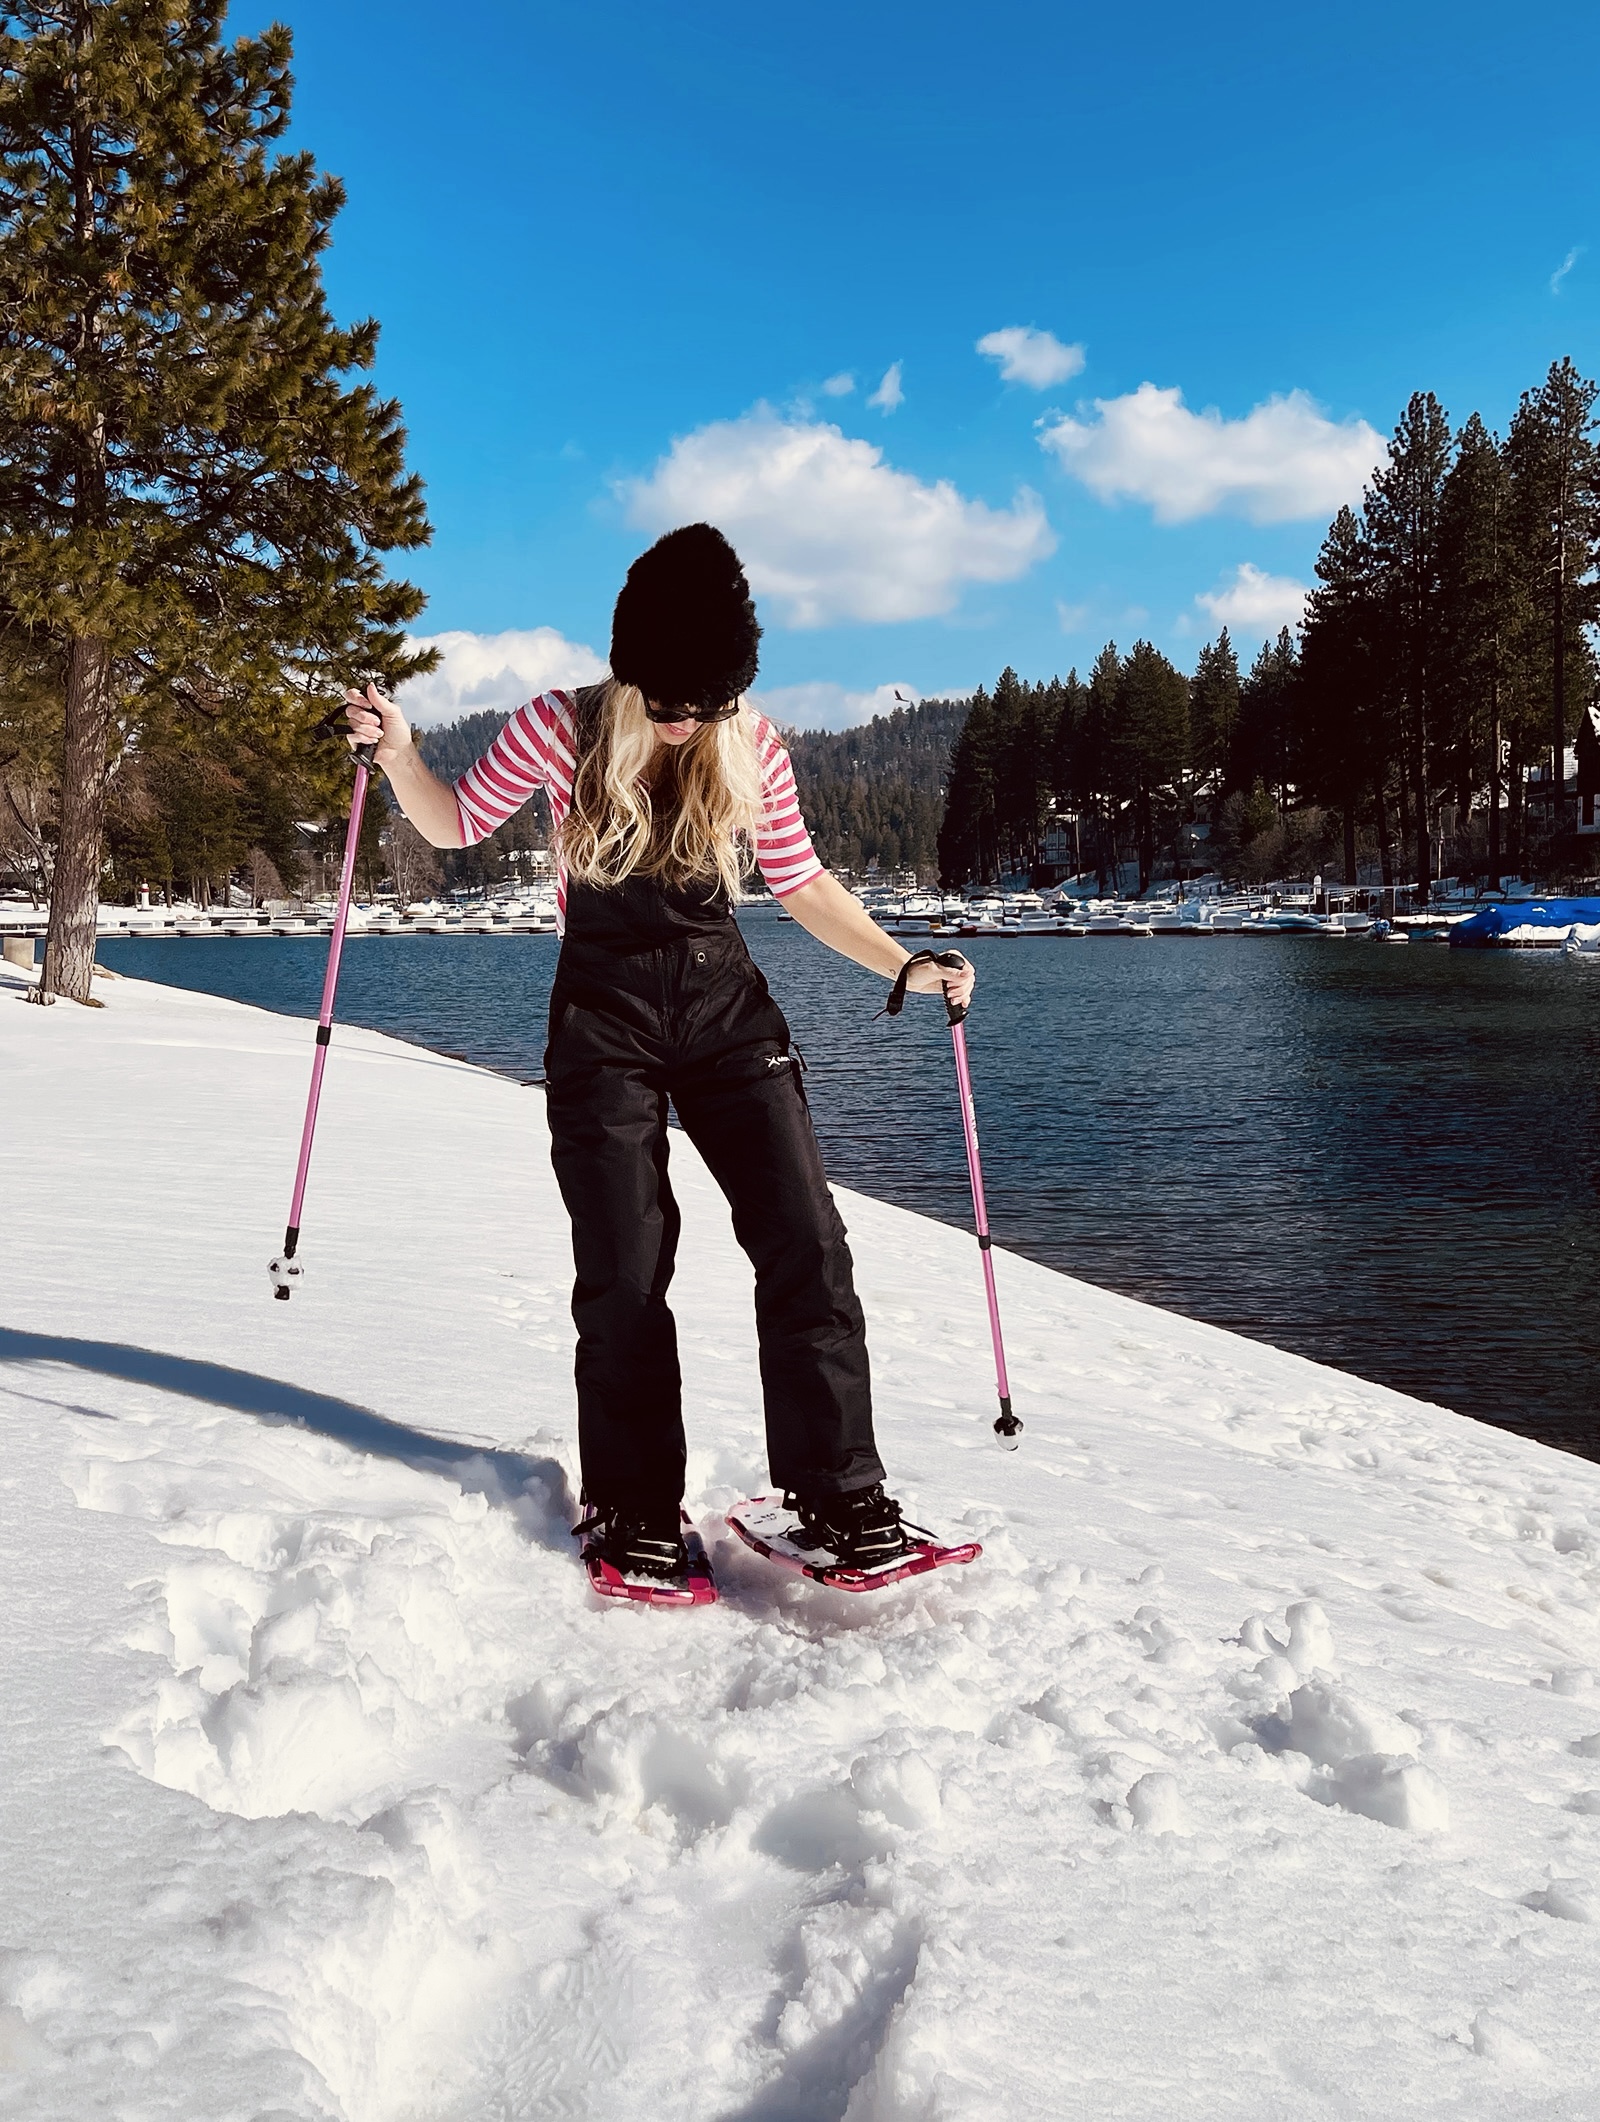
(538, 750)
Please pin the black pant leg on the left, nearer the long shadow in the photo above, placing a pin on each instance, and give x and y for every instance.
(608, 1143)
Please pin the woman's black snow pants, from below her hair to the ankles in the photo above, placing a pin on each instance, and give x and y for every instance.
(657, 998)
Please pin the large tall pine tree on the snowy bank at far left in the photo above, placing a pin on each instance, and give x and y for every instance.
(192, 495)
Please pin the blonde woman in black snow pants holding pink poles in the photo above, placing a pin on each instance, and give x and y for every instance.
(661, 790)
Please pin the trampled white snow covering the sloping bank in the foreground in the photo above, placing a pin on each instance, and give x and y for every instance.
(1253, 1773)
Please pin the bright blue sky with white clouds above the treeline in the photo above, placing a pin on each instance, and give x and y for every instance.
(623, 251)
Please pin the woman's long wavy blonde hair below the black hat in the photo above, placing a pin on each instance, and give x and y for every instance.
(682, 814)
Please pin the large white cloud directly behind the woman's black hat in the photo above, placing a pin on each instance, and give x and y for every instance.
(827, 529)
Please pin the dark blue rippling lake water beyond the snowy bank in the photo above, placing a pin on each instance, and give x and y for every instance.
(1387, 1160)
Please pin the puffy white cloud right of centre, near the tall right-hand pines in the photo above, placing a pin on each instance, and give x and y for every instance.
(1281, 464)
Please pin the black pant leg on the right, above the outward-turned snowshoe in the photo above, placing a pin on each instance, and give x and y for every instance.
(748, 1117)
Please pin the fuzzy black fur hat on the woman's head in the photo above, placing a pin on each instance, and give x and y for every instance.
(684, 629)
